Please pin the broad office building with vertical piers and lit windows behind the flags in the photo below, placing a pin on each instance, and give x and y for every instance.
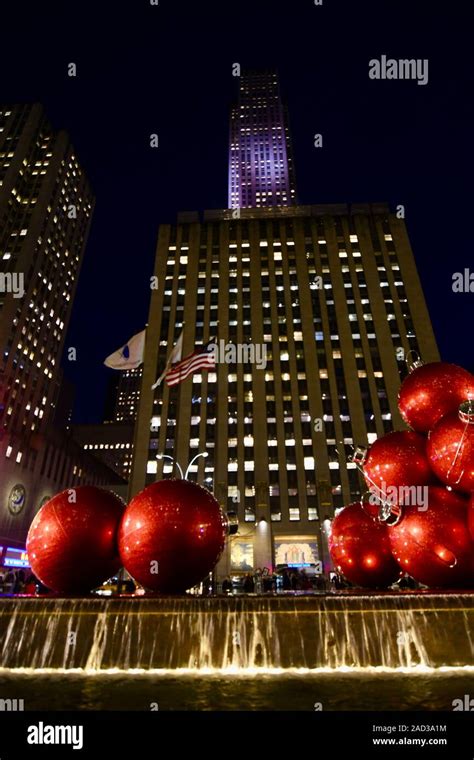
(330, 295)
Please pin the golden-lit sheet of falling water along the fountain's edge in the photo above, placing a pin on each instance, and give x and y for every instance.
(238, 633)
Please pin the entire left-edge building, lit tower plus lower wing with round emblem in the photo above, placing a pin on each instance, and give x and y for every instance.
(45, 213)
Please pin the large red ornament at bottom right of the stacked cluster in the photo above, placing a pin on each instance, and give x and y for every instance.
(433, 544)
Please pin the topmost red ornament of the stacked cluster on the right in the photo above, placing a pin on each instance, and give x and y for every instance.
(432, 391)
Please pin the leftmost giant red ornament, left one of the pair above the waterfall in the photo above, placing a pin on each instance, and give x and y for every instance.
(72, 541)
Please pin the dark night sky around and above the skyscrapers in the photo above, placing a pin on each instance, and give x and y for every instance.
(168, 69)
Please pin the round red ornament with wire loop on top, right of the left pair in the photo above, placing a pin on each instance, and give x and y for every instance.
(172, 535)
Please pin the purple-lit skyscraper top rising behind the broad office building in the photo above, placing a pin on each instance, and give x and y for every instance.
(261, 170)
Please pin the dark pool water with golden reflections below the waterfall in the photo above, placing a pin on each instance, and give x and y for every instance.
(433, 690)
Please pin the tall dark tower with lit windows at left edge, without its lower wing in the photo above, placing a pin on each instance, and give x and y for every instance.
(45, 212)
